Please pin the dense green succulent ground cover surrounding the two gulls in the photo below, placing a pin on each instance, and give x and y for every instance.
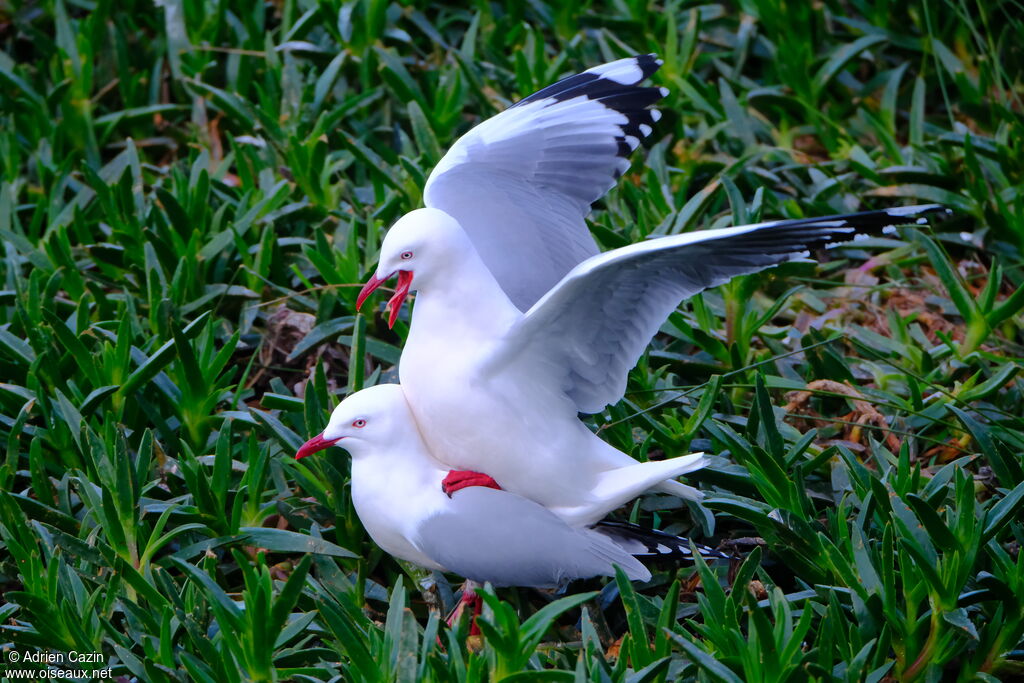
(193, 193)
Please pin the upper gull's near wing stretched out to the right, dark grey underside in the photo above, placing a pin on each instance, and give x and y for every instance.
(588, 332)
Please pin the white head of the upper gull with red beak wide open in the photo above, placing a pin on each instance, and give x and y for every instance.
(416, 249)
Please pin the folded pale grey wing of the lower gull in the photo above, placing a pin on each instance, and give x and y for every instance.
(487, 535)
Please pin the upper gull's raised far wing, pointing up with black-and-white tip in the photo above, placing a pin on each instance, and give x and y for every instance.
(522, 183)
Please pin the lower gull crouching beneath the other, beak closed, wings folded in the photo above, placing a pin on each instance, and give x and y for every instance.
(482, 534)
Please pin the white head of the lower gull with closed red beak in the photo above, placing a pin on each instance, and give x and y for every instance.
(366, 421)
